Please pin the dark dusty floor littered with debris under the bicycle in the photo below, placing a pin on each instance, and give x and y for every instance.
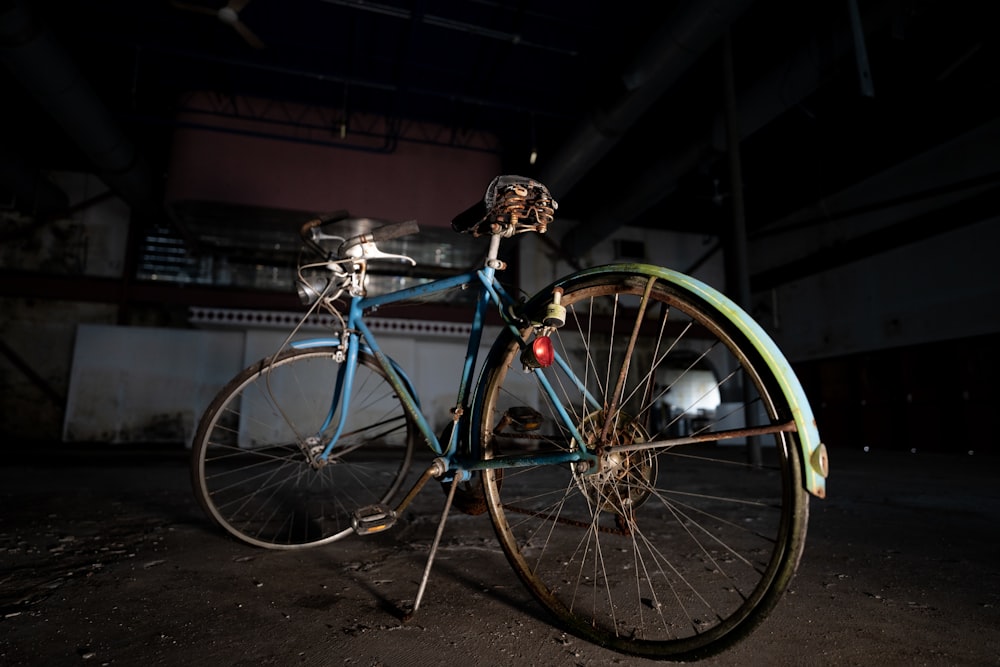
(105, 559)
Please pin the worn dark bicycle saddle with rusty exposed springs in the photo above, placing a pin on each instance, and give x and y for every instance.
(512, 204)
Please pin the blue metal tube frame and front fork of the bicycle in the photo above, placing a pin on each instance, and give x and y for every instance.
(489, 293)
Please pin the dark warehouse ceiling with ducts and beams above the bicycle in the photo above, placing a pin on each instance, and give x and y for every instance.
(625, 102)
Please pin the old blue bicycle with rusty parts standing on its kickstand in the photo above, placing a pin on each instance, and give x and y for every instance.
(653, 532)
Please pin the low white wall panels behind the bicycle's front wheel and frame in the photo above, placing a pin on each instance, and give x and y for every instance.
(147, 384)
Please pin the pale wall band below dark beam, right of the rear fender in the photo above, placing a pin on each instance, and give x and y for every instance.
(944, 288)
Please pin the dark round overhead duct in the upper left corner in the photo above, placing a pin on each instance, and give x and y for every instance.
(48, 73)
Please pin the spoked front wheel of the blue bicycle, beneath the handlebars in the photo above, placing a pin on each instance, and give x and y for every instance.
(249, 469)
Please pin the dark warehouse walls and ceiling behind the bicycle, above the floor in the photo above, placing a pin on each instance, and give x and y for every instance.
(833, 166)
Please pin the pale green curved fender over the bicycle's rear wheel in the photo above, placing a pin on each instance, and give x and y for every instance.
(815, 461)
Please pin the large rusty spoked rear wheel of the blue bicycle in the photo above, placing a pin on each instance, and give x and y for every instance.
(673, 552)
